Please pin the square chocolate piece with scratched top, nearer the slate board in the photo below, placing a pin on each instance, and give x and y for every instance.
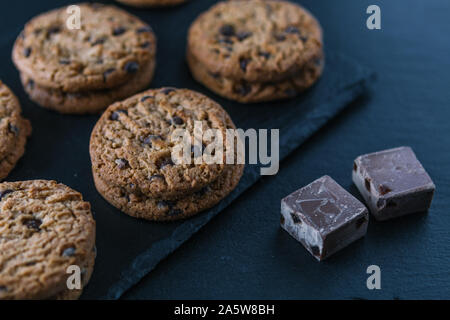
(323, 217)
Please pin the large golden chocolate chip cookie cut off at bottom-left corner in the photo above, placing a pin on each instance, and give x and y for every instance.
(45, 227)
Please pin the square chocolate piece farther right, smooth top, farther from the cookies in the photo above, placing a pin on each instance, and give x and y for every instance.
(393, 183)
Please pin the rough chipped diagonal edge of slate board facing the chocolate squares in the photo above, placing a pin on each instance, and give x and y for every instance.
(147, 261)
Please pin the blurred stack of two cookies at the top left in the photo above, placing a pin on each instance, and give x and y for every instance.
(83, 68)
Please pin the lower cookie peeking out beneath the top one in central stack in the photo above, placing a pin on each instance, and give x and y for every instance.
(141, 206)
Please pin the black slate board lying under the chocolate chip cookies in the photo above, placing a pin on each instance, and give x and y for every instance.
(129, 248)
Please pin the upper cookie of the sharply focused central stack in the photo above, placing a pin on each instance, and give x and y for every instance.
(131, 145)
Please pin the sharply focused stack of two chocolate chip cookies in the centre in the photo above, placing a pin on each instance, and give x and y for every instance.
(131, 150)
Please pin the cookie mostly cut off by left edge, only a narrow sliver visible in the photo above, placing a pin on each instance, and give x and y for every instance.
(14, 131)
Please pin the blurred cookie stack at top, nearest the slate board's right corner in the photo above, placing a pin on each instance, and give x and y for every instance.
(256, 50)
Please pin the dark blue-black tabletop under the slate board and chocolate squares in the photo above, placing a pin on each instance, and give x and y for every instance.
(243, 253)
